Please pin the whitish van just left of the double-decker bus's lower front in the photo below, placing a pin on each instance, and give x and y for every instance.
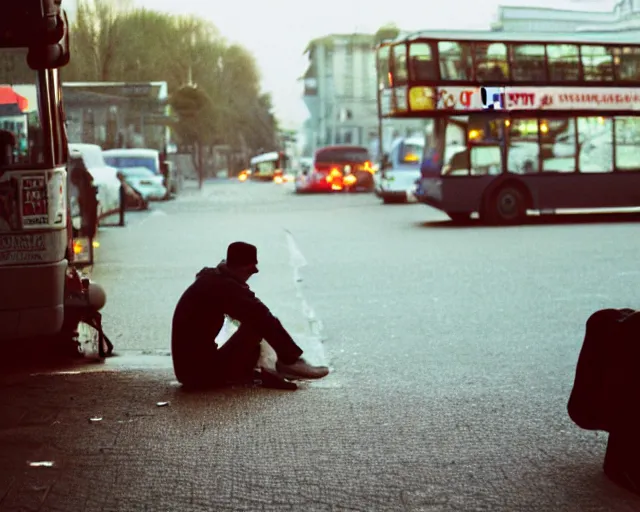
(400, 169)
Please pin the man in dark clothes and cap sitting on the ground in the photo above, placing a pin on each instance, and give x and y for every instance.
(199, 316)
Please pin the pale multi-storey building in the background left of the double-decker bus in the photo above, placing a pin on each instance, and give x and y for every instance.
(340, 88)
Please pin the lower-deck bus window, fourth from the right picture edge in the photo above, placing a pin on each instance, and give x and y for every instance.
(523, 150)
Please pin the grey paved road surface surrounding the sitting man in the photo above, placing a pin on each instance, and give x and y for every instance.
(452, 348)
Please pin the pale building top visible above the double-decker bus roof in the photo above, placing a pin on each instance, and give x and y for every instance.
(625, 16)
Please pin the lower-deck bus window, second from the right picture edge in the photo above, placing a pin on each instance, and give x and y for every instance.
(595, 135)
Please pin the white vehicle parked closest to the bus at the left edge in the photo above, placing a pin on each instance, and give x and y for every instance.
(105, 177)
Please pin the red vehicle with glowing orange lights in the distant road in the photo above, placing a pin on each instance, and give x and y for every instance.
(337, 168)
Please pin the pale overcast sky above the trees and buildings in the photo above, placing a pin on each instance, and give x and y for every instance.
(277, 31)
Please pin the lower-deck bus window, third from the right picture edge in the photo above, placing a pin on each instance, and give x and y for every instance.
(559, 145)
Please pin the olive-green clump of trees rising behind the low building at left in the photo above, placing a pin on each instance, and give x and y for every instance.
(113, 42)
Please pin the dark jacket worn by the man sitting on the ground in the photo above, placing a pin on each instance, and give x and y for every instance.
(200, 313)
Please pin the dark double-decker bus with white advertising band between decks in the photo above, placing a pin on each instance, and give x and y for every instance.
(519, 124)
